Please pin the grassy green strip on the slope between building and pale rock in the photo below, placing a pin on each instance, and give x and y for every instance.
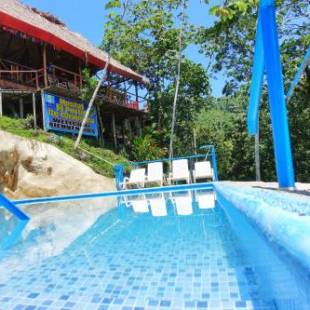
(94, 156)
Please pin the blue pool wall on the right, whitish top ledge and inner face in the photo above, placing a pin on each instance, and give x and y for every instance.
(272, 258)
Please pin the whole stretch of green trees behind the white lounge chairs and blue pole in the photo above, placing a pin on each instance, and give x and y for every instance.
(145, 37)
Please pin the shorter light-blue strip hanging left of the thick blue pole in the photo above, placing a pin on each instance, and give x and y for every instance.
(257, 81)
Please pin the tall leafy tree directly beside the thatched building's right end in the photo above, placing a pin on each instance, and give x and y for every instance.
(146, 39)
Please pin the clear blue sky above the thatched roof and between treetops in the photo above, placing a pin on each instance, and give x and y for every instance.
(88, 17)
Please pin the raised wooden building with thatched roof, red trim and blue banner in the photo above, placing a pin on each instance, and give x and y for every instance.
(40, 59)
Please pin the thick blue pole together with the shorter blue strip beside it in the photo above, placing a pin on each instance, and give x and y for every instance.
(267, 56)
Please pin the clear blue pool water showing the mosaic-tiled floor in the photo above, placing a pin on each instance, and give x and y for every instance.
(137, 261)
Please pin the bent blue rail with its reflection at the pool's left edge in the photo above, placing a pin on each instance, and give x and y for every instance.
(23, 219)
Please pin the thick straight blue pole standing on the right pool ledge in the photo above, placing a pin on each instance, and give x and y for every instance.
(280, 129)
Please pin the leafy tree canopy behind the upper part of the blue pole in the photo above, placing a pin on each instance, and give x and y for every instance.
(229, 43)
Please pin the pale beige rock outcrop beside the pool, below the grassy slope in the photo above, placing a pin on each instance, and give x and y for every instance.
(30, 168)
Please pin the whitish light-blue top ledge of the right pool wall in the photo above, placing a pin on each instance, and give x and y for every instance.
(285, 218)
